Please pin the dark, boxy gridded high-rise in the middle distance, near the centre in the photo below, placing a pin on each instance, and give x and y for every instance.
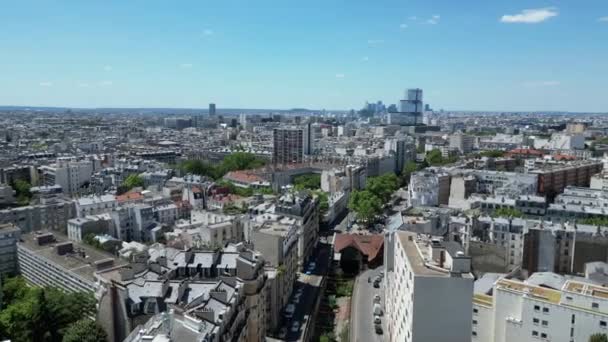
(288, 146)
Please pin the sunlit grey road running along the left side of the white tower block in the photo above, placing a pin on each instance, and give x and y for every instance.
(362, 324)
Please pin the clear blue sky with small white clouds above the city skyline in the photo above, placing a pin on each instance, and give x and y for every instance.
(499, 55)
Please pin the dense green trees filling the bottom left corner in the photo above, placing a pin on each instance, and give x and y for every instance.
(46, 314)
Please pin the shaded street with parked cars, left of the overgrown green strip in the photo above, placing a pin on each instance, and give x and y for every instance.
(310, 291)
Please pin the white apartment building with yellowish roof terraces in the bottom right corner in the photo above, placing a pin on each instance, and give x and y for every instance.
(523, 312)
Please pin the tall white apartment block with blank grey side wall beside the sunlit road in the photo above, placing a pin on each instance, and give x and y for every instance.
(428, 289)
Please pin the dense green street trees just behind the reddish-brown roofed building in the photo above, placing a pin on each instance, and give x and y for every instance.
(368, 203)
